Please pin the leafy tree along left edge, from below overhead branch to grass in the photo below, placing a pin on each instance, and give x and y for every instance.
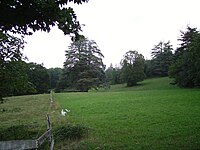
(10, 57)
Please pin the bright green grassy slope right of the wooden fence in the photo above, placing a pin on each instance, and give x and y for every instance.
(154, 115)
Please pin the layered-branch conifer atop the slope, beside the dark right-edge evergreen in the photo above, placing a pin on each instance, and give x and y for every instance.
(161, 58)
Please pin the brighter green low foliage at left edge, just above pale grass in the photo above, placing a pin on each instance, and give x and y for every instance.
(13, 79)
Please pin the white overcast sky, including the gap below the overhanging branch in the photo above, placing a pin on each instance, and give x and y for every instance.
(118, 26)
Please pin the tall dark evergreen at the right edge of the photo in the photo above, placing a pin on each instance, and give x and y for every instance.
(186, 67)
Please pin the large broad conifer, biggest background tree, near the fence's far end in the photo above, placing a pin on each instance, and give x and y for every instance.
(83, 68)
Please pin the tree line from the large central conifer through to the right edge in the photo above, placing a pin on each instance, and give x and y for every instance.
(181, 64)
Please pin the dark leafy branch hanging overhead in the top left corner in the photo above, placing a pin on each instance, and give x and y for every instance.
(28, 16)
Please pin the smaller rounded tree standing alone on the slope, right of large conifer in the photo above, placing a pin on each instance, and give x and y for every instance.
(133, 68)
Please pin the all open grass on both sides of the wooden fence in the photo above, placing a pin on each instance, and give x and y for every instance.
(152, 115)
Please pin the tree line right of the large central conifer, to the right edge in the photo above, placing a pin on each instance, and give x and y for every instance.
(182, 64)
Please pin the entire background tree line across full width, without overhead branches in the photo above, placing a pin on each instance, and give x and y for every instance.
(84, 69)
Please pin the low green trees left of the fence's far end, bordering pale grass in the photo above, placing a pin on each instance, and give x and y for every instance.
(21, 78)
